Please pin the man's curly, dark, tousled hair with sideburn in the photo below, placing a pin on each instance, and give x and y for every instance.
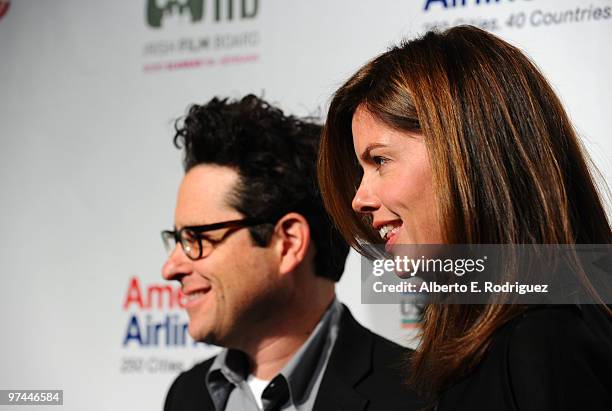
(275, 157)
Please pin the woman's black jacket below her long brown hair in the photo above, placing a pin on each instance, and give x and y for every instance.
(550, 358)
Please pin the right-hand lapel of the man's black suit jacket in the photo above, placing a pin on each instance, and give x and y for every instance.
(349, 363)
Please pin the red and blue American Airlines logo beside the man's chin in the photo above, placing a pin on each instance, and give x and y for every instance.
(155, 330)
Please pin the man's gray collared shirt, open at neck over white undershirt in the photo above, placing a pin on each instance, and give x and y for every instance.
(293, 389)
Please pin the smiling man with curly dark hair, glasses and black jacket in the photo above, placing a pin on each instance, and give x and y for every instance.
(257, 258)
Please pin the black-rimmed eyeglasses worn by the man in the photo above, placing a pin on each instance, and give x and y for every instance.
(198, 245)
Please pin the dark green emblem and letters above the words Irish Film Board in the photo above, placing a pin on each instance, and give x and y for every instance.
(159, 11)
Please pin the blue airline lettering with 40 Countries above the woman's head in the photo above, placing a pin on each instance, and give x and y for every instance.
(496, 15)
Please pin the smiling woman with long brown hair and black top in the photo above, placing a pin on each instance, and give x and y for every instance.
(457, 138)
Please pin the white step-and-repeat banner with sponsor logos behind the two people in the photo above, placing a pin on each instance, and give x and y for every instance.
(88, 94)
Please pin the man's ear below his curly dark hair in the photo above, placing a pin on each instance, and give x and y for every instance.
(292, 234)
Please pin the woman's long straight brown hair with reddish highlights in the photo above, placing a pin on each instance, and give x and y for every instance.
(507, 168)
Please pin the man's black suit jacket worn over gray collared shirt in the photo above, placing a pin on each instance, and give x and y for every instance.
(364, 372)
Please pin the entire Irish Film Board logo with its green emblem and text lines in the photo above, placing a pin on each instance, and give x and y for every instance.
(198, 34)
